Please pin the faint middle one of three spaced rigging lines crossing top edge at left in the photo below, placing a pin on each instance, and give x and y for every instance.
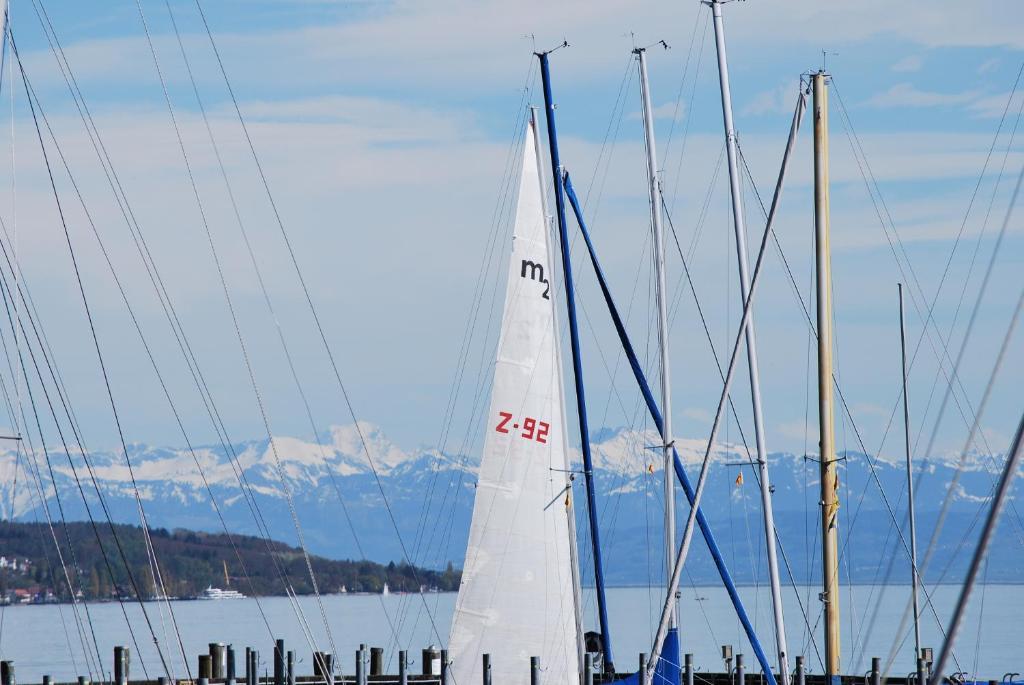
(271, 310)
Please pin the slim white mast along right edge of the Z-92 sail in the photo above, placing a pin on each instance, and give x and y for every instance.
(570, 511)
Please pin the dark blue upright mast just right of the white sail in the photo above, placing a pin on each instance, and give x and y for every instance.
(595, 538)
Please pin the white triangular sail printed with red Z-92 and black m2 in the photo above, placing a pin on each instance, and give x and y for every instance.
(517, 600)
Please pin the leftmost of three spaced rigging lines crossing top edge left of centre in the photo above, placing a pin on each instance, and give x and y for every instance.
(286, 489)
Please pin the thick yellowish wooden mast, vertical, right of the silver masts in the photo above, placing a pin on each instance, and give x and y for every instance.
(827, 427)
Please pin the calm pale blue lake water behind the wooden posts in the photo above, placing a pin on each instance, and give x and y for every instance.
(35, 636)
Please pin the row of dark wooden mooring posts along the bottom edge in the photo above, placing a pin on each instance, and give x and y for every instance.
(221, 664)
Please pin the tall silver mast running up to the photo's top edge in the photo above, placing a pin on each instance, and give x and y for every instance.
(752, 350)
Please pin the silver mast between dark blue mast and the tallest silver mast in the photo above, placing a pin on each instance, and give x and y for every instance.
(663, 325)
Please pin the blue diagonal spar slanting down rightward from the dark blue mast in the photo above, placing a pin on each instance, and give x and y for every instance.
(656, 414)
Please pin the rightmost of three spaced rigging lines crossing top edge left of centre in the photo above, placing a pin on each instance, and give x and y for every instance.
(313, 309)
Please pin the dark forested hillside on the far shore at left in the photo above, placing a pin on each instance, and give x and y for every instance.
(190, 562)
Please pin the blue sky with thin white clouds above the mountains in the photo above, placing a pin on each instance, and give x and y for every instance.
(389, 134)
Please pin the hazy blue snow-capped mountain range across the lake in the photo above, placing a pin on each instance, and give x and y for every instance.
(337, 499)
